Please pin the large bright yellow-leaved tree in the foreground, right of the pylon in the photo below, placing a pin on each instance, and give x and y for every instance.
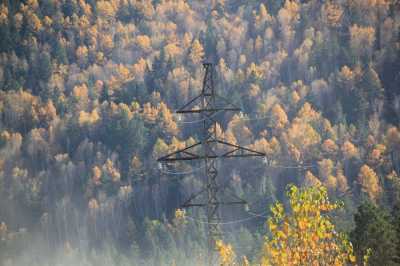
(305, 236)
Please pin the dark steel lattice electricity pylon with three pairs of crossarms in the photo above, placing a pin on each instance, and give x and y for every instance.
(208, 104)
